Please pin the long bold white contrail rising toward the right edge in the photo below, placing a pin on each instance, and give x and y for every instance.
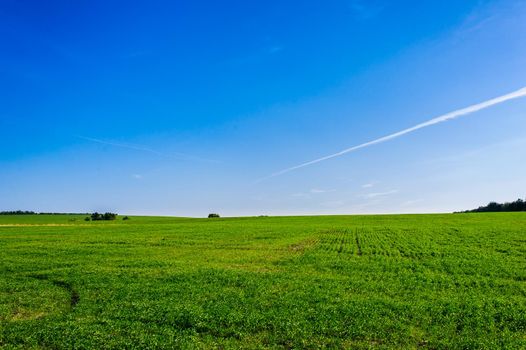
(440, 119)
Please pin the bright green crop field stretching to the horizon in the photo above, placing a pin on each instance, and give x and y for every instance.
(452, 281)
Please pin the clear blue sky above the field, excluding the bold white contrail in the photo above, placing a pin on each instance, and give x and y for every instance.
(181, 107)
